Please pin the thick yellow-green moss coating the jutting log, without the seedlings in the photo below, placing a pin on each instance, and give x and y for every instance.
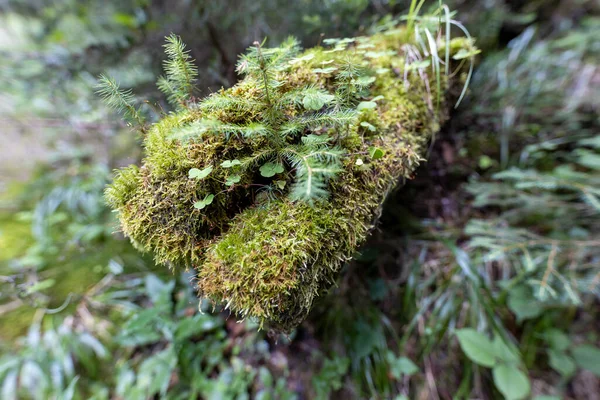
(255, 250)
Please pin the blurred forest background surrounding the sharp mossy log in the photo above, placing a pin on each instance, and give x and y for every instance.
(498, 236)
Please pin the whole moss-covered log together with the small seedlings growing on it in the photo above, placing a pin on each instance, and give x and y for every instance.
(306, 143)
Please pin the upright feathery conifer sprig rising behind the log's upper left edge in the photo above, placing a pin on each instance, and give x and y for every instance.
(181, 73)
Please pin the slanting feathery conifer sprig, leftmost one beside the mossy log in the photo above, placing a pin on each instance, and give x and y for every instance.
(123, 101)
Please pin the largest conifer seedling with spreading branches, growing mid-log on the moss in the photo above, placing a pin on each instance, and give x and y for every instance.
(314, 159)
